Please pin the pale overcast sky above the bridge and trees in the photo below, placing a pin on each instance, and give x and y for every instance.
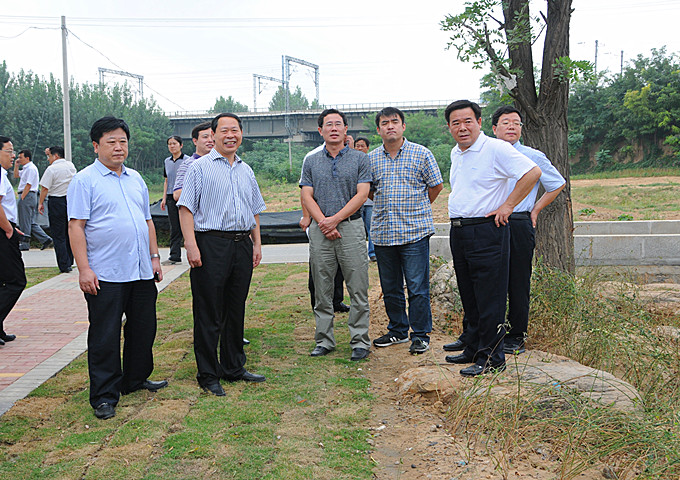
(368, 52)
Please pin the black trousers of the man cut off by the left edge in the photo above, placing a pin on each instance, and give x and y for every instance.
(12, 274)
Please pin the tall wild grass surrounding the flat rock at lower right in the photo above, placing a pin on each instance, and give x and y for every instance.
(606, 326)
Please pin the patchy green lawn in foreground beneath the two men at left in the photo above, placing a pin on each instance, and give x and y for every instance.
(308, 421)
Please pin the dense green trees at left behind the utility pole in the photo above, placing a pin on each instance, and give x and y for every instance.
(32, 116)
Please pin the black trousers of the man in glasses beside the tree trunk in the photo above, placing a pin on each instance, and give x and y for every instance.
(522, 244)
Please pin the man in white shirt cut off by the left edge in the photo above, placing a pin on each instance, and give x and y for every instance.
(12, 275)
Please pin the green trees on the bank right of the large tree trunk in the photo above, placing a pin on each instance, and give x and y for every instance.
(638, 110)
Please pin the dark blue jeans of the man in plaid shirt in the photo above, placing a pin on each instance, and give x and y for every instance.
(410, 262)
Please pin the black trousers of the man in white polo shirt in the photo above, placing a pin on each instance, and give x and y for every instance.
(481, 259)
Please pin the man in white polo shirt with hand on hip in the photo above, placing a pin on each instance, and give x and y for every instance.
(481, 201)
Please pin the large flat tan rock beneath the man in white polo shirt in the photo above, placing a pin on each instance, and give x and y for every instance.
(534, 371)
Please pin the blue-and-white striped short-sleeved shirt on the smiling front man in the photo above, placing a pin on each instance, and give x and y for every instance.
(221, 196)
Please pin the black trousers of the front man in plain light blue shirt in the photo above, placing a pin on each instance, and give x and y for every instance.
(137, 300)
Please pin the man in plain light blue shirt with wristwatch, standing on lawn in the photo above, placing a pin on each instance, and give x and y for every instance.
(114, 245)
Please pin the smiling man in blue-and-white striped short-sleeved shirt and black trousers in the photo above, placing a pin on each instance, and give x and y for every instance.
(220, 208)
